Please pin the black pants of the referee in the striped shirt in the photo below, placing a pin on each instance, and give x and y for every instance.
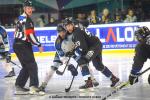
(29, 69)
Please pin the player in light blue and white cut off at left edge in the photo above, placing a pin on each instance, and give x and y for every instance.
(4, 52)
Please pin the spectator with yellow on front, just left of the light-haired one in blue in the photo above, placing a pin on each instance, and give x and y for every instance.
(93, 19)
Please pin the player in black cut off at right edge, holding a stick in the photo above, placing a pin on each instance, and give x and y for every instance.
(142, 53)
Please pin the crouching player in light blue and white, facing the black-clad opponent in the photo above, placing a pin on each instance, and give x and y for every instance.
(61, 56)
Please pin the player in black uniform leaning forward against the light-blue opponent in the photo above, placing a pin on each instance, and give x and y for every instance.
(89, 48)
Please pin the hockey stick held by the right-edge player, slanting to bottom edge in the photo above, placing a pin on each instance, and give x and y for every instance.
(123, 85)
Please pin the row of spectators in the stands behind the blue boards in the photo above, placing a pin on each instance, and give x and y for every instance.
(103, 18)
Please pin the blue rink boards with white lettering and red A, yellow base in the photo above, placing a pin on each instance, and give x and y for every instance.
(116, 38)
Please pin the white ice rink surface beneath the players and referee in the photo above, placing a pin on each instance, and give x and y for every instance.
(119, 64)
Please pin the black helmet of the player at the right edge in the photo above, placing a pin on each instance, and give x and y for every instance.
(141, 33)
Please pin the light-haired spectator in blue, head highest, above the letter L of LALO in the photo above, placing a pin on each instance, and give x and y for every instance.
(105, 19)
